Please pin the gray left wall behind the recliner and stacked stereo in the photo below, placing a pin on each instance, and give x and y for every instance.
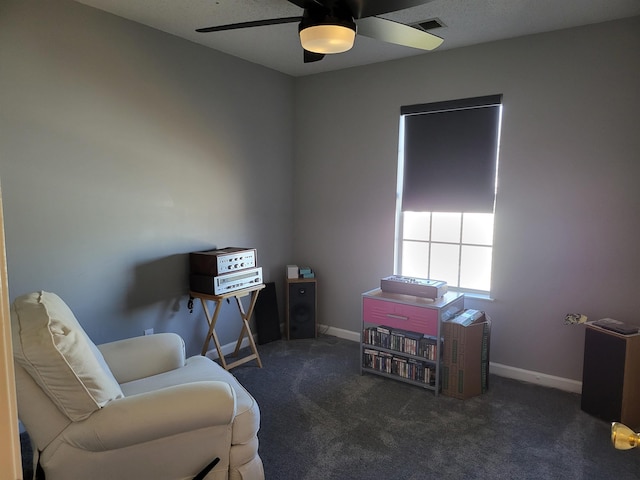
(121, 150)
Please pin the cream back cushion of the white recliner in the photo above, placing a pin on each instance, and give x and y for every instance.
(50, 344)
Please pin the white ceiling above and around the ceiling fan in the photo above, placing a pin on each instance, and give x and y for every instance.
(467, 22)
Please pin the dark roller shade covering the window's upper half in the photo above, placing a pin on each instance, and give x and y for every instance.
(450, 153)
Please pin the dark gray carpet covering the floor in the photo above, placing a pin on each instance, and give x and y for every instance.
(322, 420)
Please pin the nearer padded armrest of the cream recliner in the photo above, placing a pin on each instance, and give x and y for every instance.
(154, 415)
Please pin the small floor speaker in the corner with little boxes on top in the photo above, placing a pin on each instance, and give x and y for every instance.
(301, 308)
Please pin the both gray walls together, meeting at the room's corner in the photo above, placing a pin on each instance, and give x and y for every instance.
(118, 142)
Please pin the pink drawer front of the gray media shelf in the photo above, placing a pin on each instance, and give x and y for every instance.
(398, 315)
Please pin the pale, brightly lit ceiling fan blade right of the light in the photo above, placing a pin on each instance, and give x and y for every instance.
(398, 33)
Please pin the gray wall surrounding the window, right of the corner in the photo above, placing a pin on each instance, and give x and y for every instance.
(566, 228)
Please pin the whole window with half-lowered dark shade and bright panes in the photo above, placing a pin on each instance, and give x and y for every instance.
(447, 178)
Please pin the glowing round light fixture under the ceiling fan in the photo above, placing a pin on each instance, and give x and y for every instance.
(330, 36)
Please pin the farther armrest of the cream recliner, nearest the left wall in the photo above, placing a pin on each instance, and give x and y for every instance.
(139, 357)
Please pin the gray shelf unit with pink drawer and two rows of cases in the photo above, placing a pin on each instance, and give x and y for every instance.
(401, 336)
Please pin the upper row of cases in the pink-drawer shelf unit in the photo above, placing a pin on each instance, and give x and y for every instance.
(401, 341)
